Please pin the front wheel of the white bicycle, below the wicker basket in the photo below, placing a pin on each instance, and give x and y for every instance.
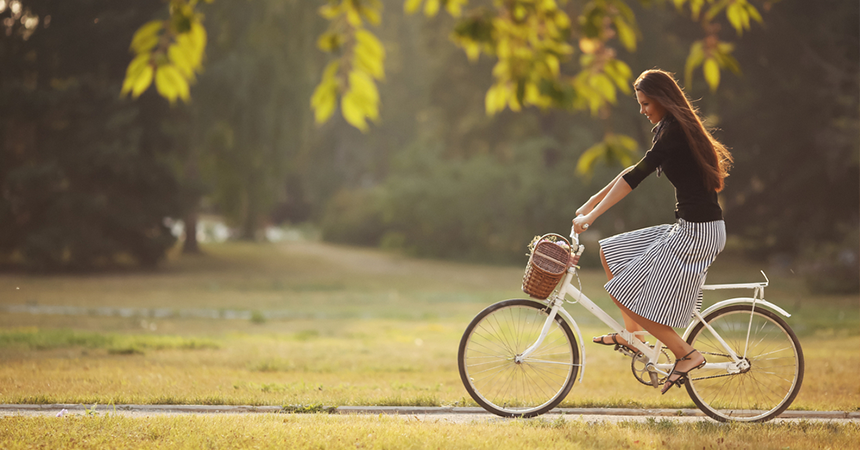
(496, 381)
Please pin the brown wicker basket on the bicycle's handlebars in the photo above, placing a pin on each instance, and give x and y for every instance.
(547, 264)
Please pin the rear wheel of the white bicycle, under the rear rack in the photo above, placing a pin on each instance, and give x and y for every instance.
(776, 369)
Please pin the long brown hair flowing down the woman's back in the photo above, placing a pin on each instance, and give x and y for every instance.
(713, 157)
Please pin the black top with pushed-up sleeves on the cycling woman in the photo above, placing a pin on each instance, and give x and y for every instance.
(672, 155)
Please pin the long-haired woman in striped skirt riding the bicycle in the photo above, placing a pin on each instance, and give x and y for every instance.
(656, 274)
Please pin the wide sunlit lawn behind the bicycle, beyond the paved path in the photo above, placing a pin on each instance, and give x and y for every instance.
(334, 326)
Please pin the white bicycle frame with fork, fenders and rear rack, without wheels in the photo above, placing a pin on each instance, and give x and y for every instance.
(557, 300)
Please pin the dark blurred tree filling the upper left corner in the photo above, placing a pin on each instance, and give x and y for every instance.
(87, 179)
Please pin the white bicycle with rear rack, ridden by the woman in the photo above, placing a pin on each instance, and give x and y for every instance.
(521, 357)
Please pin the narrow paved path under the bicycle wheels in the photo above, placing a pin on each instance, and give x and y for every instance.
(447, 414)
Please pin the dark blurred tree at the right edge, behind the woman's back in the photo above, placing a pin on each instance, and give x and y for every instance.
(794, 188)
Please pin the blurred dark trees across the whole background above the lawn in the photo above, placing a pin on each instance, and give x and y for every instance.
(88, 177)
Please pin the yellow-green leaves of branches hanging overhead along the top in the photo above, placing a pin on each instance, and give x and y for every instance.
(546, 55)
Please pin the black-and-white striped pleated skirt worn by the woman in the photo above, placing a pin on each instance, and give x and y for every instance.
(658, 272)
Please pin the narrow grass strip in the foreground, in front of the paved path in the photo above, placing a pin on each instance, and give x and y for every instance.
(314, 431)
